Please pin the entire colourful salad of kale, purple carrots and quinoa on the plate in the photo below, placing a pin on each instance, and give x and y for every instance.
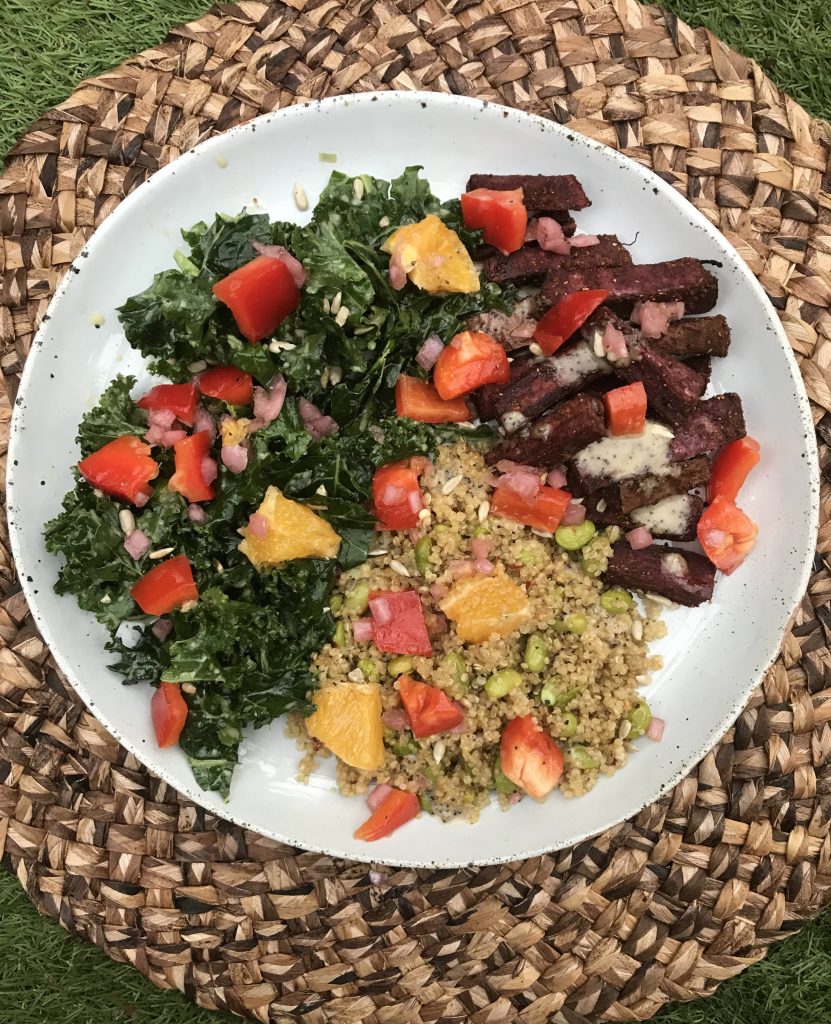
(407, 479)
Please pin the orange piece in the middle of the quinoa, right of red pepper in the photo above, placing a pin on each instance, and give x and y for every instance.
(482, 607)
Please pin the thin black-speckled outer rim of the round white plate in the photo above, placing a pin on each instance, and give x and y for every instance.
(651, 180)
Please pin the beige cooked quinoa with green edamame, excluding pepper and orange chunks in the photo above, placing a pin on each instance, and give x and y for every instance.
(594, 665)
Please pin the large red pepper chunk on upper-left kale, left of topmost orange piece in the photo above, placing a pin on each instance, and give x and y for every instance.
(260, 295)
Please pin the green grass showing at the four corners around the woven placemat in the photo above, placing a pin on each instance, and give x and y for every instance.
(47, 47)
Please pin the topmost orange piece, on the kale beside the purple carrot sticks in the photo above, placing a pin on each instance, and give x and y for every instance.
(433, 258)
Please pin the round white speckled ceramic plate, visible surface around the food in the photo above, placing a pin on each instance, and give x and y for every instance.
(714, 656)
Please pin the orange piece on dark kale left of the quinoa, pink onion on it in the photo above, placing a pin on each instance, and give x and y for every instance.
(294, 532)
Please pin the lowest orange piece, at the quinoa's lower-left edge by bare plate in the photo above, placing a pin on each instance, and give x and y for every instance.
(347, 720)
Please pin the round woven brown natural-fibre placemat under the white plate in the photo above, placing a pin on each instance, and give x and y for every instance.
(663, 908)
